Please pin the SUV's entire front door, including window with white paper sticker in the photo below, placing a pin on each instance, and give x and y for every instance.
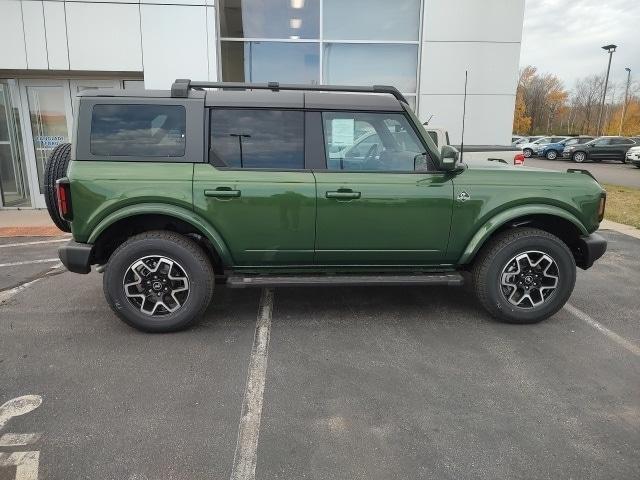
(387, 208)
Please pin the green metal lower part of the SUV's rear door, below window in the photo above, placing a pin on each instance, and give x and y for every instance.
(272, 222)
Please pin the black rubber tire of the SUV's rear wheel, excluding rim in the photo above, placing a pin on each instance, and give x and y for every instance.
(190, 261)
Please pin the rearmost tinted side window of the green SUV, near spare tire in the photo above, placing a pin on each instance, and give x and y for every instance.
(138, 130)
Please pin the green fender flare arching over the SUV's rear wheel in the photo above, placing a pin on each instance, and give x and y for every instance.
(168, 210)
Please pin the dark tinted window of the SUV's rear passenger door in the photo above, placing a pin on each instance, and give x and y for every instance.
(246, 138)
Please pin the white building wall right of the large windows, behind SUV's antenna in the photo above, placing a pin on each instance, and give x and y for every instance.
(482, 37)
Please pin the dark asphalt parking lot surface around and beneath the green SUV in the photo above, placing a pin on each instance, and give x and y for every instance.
(360, 383)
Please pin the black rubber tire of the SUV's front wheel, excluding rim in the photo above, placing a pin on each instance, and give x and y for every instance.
(496, 256)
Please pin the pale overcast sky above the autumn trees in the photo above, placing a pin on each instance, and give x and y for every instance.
(564, 37)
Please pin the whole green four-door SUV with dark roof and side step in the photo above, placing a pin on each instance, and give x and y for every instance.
(170, 193)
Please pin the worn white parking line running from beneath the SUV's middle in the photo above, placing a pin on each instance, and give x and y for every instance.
(244, 458)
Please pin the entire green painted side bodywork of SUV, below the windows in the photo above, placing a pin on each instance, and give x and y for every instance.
(275, 220)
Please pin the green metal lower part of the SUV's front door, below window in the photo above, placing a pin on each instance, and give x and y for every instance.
(399, 218)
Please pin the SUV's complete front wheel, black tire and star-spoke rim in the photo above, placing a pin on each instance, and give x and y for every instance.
(524, 275)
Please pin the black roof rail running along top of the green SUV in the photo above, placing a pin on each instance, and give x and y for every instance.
(181, 87)
